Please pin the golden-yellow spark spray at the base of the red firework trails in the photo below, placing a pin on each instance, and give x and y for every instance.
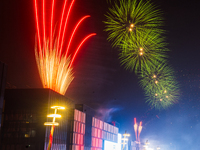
(54, 71)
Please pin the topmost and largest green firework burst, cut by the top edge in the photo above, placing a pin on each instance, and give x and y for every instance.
(129, 18)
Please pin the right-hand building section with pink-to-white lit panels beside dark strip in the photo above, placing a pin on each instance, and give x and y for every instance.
(96, 130)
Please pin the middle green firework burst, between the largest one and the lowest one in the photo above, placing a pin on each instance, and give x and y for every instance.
(143, 52)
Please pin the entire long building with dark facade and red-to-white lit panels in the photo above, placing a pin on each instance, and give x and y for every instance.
(26, 111)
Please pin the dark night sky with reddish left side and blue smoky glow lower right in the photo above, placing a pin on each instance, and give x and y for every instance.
(100, 81)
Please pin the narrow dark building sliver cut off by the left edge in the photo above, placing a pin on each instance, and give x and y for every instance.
(3, 69)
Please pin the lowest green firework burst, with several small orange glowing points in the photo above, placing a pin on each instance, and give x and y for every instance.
(160, 86)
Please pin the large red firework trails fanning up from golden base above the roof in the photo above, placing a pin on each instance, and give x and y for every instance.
(52, 55)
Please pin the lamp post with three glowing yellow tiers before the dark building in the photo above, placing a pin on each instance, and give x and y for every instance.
(53, 123)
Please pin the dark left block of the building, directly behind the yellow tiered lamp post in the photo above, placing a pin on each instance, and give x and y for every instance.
(24, 116)
